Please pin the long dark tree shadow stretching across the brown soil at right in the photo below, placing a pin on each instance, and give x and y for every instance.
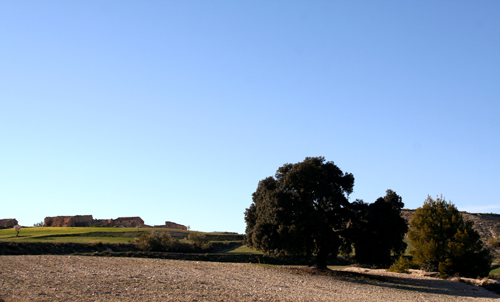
(437, 286)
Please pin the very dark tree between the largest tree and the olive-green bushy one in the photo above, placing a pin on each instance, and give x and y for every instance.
(379, 230)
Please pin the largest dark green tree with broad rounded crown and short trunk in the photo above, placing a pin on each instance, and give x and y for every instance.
(301, 211)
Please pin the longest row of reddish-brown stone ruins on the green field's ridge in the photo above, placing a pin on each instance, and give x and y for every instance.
(87, 220)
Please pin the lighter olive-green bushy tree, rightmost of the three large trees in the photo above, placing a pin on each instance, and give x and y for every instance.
(444, 241)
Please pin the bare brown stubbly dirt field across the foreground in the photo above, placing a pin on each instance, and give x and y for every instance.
(77, 278)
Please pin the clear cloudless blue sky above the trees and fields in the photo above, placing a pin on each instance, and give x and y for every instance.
(174, 110)
